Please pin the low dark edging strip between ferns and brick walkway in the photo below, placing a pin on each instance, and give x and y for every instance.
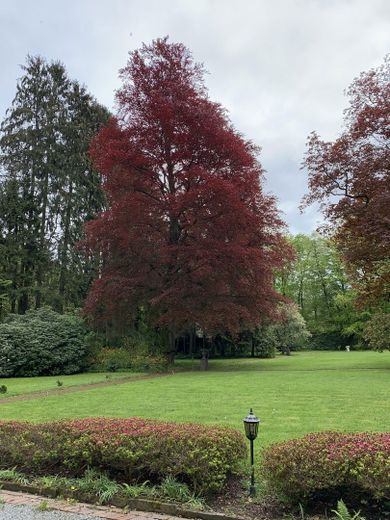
(135, 504)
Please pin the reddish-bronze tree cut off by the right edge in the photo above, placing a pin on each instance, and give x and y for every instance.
(351, 178)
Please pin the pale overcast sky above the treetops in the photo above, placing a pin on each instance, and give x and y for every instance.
(280, 67)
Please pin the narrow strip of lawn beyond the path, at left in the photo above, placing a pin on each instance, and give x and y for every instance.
(26, 385)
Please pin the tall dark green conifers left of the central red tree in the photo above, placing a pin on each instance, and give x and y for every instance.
(48, 187)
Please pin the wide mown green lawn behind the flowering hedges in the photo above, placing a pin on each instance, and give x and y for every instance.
(308, 391)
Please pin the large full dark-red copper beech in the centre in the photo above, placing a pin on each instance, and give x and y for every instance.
(188, 233)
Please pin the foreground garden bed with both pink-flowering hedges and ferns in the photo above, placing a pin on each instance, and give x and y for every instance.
(145, 464)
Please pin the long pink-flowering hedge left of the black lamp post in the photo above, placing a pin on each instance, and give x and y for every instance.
(129, 450)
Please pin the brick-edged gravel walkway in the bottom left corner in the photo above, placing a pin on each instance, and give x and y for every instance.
(22, 506)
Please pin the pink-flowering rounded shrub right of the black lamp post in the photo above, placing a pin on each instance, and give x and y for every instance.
(328, 464)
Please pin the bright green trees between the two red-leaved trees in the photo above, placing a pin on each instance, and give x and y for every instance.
(317, 282)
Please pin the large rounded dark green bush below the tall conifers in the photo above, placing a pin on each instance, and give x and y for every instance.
(42, 342)
